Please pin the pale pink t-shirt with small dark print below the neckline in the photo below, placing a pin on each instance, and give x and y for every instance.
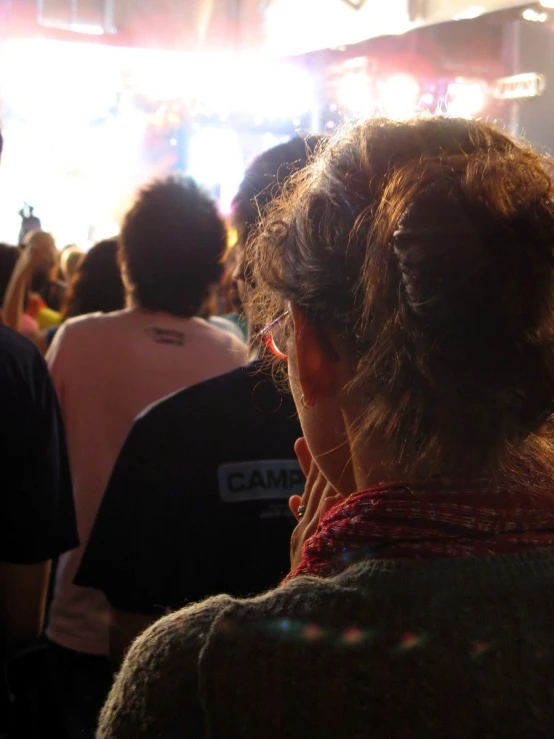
(107, 368)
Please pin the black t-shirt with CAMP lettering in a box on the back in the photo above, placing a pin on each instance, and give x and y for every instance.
(198, 500)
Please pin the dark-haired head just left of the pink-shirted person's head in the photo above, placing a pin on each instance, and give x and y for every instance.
(96, 284)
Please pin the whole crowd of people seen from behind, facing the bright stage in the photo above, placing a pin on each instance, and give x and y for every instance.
(335, 522)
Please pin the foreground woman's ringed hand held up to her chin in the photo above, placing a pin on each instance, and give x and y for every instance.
(319, 496)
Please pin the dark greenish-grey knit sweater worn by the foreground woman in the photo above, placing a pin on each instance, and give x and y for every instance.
(445, 648)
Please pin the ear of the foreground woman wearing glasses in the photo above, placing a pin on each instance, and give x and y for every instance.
(317, 369)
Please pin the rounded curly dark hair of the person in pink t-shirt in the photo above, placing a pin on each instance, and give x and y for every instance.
(172, 245)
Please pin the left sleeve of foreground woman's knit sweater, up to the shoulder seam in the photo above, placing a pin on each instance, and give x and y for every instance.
(155, 692)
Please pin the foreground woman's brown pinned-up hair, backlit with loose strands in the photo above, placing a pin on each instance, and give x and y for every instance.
(428, 246)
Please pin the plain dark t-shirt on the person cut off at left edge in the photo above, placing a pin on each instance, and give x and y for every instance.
(37, 516)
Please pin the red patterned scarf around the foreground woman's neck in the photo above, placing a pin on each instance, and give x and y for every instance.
(431, 519)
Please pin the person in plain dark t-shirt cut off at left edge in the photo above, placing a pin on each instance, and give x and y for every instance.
(37, 522)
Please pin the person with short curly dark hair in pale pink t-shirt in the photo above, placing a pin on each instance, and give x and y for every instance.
(107, 368)
